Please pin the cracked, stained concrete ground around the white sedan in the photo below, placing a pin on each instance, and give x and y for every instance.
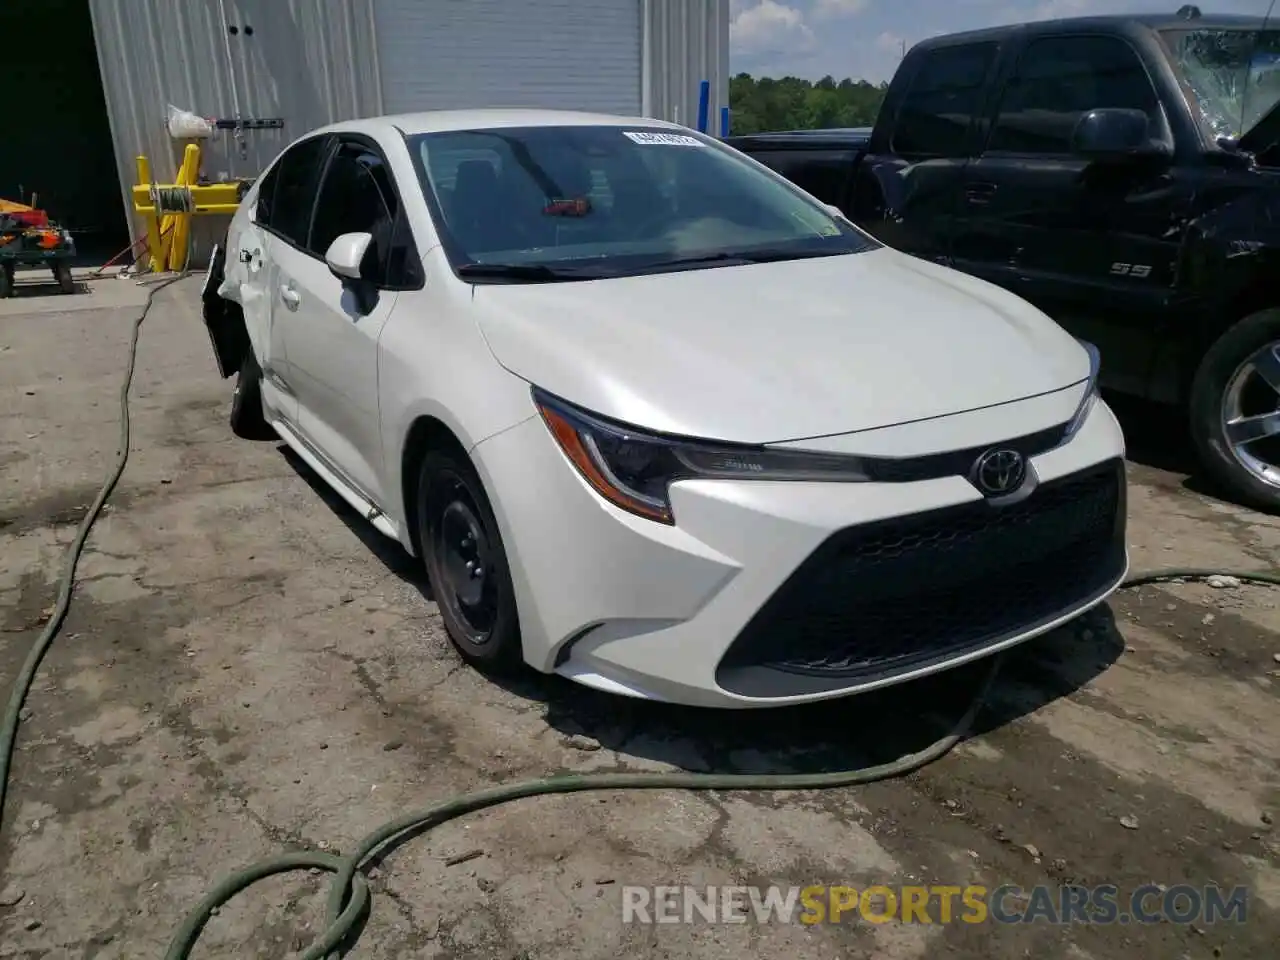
(248, 669)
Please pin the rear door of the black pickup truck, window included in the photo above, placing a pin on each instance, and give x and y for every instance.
(908, 189)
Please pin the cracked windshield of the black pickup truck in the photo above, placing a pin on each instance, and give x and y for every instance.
(1235, 75)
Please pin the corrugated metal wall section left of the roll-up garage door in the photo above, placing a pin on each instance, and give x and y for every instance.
(309, 62)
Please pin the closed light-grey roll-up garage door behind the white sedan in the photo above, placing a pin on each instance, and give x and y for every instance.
(559, 54)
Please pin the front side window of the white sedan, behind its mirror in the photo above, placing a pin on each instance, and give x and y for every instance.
(356, 196)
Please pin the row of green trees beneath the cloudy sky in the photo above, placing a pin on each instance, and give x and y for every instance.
(790, 103)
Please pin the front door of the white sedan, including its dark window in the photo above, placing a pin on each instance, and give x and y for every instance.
(332, 337)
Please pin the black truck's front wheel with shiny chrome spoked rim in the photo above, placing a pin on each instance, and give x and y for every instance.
(1236, 410)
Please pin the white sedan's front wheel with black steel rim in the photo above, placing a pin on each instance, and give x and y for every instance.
(454, 510)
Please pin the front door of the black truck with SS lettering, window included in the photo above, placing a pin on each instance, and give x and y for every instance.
(1090, 244)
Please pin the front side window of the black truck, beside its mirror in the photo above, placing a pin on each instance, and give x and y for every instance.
(1060, 79)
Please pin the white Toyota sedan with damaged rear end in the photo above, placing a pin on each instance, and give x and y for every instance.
(656, 419)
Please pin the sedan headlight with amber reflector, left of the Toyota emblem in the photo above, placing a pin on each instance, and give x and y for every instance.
(634, 470)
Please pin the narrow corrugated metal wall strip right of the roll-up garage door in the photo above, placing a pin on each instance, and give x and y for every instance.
(687, 42)
